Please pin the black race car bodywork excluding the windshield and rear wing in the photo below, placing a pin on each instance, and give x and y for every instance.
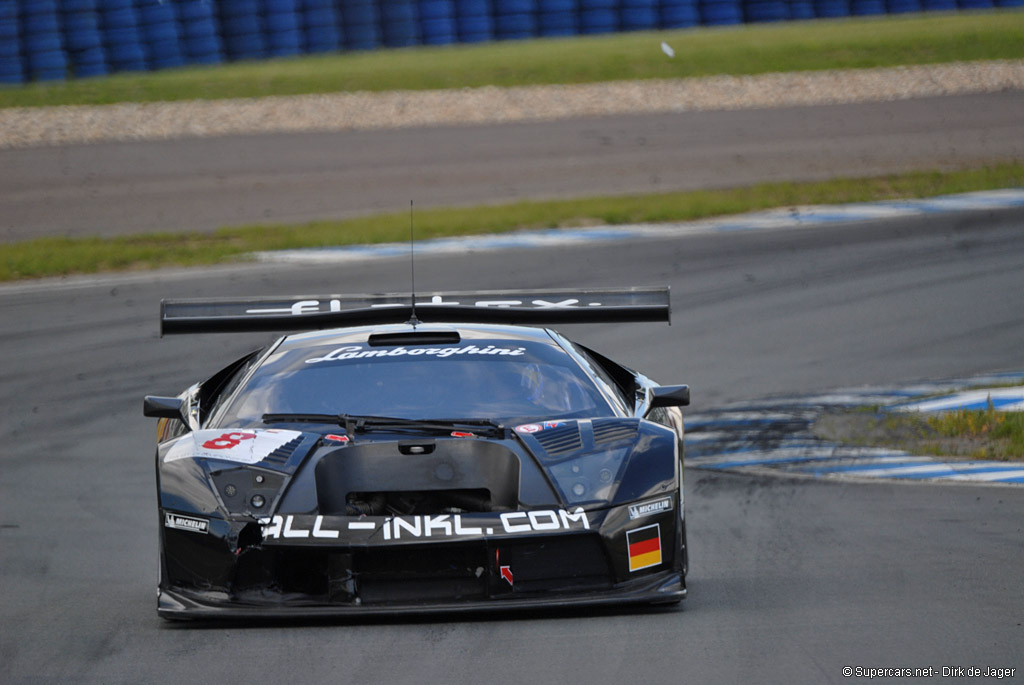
(309, 521)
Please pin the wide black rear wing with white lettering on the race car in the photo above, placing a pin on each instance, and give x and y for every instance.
(293, 314)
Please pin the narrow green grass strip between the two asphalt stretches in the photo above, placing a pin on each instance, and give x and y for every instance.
(63, 256)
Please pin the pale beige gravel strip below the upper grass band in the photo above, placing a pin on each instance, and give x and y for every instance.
(23, 127)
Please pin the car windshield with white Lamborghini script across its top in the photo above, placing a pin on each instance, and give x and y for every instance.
(508, 381)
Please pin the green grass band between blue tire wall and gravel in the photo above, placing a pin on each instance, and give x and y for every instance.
(848, 44)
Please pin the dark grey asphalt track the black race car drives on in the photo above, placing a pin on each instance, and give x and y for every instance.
(791, 581)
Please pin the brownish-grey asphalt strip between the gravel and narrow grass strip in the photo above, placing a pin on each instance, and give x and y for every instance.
(201, 185)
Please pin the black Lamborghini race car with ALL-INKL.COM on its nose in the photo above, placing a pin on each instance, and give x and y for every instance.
(412, 456)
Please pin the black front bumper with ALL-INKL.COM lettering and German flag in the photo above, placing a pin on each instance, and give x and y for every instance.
(610, 559)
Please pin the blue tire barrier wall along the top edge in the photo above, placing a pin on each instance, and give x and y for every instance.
(57, 39)
